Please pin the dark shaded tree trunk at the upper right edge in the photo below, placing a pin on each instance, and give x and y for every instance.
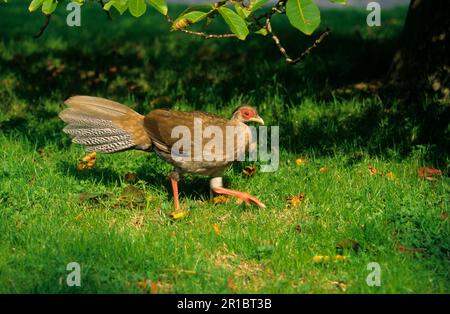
(421, 66)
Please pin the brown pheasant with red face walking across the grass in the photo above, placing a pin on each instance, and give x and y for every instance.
(106, 126)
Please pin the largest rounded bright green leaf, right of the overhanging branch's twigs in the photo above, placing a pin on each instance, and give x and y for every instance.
(303, 15)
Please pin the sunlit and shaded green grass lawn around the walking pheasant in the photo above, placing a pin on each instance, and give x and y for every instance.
(47, 220)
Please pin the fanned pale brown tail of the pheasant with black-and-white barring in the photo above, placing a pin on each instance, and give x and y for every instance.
(103, 125)
